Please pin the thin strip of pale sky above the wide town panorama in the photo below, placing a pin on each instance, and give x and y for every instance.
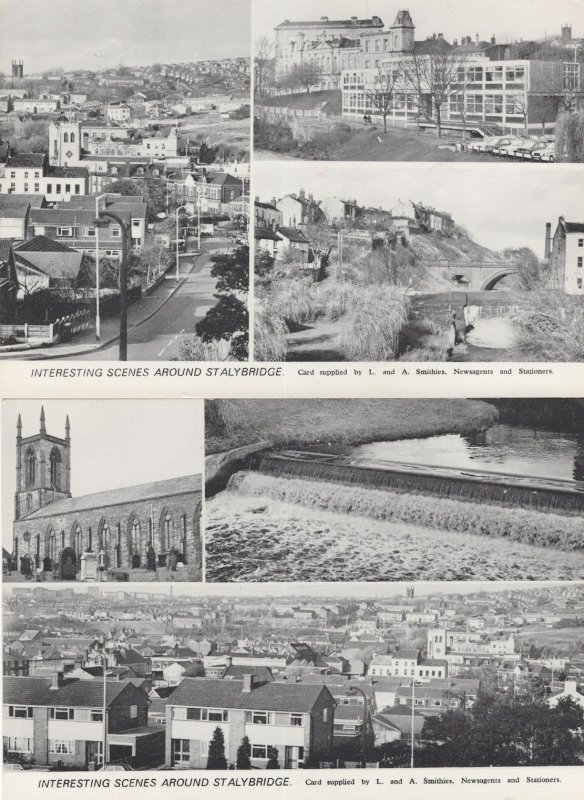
(317, 591)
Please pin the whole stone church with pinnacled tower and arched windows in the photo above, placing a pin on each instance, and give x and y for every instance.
(143, 527)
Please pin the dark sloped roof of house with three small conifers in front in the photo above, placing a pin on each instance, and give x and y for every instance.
(272, 696)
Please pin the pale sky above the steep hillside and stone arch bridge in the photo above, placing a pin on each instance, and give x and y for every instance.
(506, 206)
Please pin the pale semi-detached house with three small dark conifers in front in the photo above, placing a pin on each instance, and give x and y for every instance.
(295, 719)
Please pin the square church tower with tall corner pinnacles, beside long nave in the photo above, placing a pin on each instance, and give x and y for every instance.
(43, 468)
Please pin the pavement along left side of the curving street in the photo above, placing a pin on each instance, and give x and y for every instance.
(138, 313)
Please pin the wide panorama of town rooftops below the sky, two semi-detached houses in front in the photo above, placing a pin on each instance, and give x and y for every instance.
(179, 681)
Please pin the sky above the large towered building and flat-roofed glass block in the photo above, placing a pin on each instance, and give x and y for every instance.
(509, 20)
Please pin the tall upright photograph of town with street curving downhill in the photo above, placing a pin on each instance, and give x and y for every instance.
(124, 179)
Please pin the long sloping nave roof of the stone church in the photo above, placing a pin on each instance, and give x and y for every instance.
(113, 497)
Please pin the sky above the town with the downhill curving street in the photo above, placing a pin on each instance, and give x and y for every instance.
(80, 34)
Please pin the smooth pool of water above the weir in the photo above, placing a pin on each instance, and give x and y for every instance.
(512, 449)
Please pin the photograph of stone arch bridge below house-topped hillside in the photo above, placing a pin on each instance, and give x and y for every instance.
(418, 263)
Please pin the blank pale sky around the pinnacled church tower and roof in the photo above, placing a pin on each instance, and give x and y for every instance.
(114, 443)
